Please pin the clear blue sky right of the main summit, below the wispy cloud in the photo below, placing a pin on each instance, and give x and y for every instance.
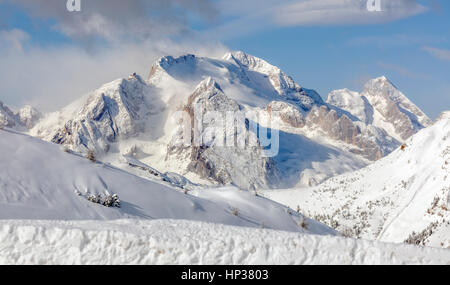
(327, 58)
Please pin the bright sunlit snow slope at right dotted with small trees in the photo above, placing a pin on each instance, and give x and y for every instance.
(403, 197)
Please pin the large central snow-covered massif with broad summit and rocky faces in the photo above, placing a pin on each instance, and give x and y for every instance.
(138, 119)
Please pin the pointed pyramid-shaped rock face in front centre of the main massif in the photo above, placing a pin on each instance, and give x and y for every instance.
(244, 166)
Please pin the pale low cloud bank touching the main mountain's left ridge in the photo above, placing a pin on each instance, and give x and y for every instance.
(51, 77)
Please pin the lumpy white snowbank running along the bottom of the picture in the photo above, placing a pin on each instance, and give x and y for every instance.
(185, 242)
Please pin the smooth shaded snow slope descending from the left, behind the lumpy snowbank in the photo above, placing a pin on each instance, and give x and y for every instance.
(39, 180)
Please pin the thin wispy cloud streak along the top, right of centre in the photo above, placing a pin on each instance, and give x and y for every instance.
(245, 17)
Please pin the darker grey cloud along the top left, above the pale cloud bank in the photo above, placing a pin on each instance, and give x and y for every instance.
(117, 20)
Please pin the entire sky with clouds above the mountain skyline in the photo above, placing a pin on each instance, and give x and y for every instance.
(324, 45)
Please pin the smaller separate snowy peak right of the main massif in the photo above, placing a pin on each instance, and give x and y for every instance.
(382, 105)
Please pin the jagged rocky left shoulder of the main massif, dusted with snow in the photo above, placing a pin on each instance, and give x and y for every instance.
(116, 110)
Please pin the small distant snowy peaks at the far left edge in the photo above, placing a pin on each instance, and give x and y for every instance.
(25, 118)
